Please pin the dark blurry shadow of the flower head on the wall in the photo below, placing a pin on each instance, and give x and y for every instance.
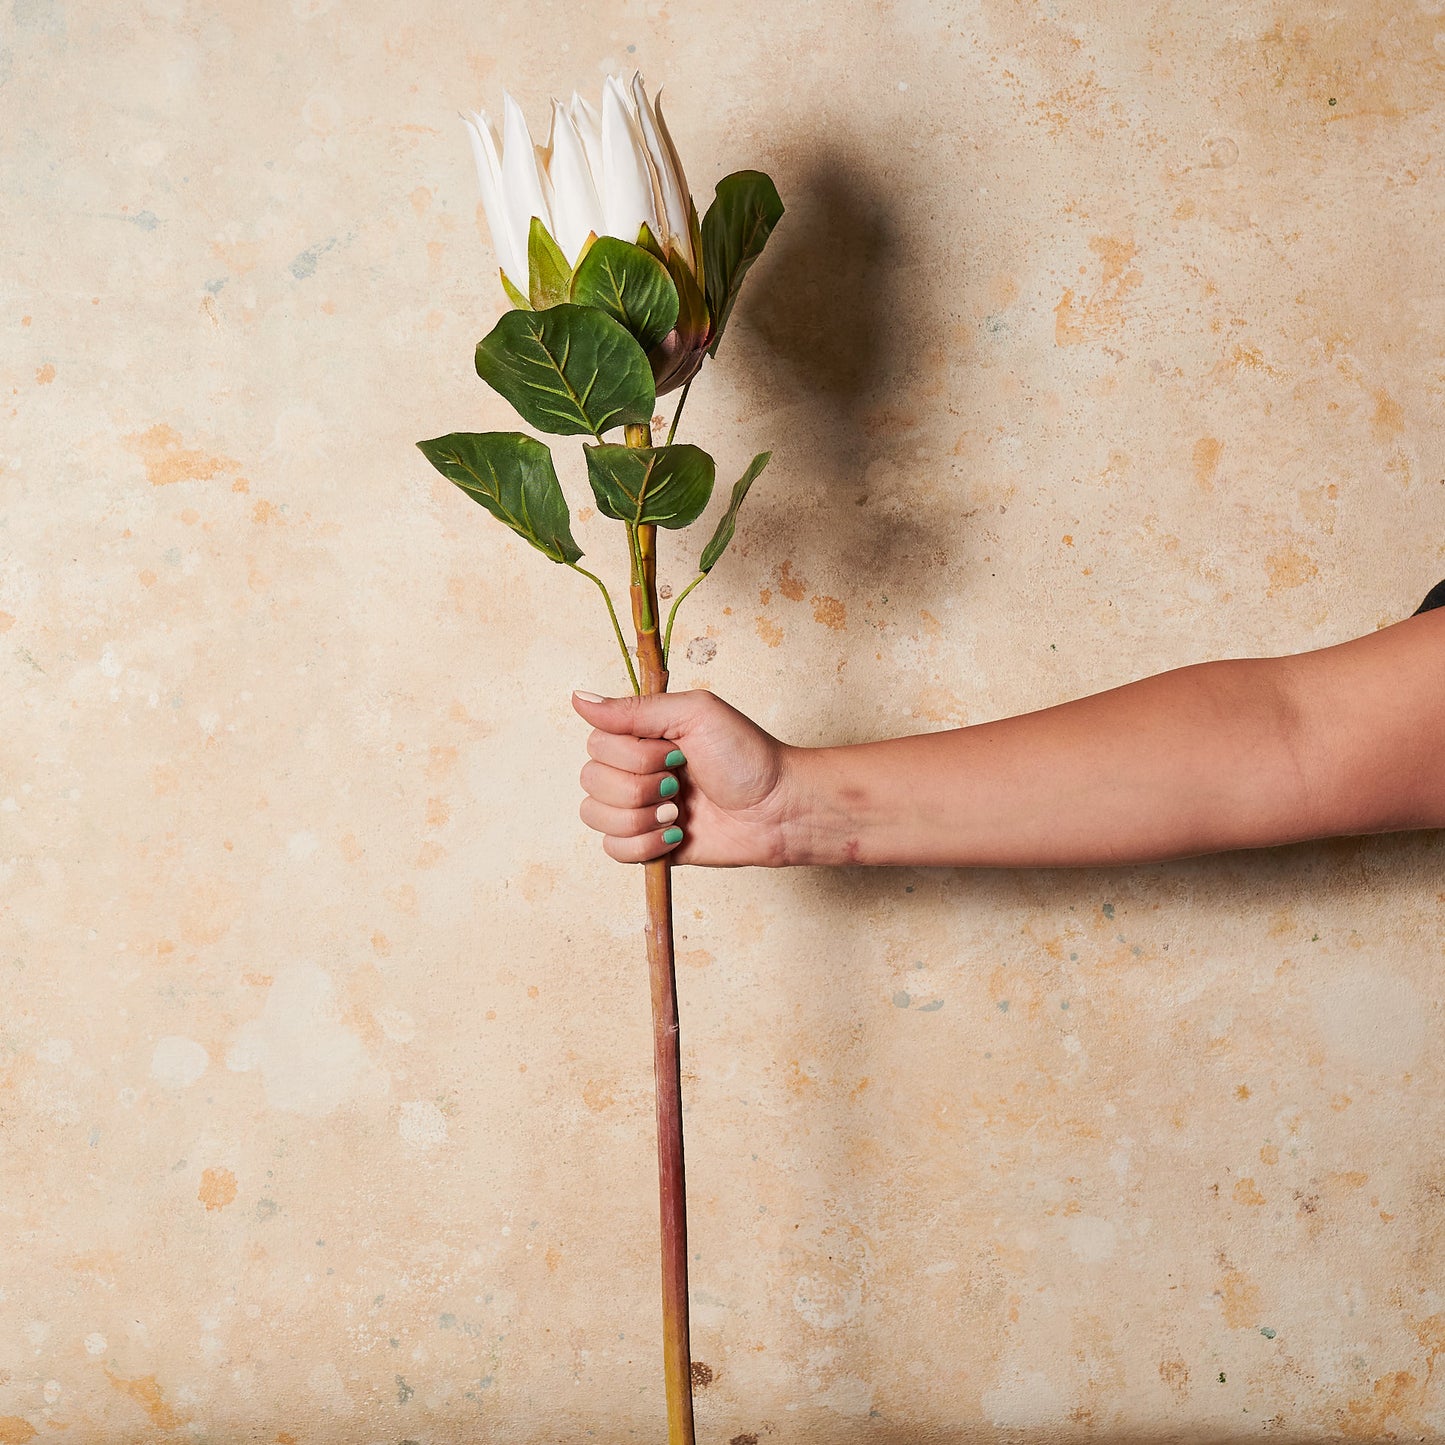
(849, 310)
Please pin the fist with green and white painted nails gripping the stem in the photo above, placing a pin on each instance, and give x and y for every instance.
(730, 798)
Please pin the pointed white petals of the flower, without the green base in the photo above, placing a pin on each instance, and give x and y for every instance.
(598, 176)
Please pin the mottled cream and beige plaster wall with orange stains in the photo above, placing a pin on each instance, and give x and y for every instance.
(1097, 340)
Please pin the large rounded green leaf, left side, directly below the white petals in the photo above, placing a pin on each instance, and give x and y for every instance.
(569, 369)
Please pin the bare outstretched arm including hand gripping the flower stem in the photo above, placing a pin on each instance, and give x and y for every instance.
(1203, 759)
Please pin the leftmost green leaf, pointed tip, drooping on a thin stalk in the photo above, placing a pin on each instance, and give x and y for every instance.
(512, 476)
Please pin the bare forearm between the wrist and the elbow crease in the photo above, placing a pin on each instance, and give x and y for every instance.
(1196, 761)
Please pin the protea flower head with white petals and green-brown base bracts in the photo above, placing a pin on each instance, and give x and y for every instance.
(616, 174)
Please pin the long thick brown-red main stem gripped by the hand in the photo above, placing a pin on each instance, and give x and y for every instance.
(677, 1353)
